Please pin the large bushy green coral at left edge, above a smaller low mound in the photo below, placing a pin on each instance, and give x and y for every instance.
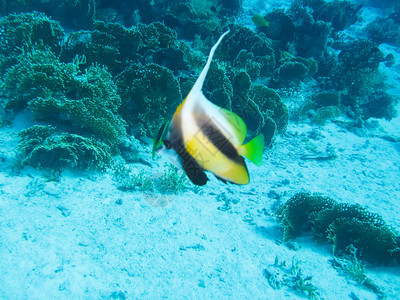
(60, 92)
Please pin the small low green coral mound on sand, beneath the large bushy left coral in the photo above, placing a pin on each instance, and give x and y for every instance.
(43, 147)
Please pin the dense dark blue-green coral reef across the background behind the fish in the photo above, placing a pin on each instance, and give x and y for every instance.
(102, 74)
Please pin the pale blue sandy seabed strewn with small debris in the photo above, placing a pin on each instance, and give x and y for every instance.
(81, 237)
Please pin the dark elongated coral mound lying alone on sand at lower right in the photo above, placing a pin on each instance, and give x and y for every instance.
(341, 225)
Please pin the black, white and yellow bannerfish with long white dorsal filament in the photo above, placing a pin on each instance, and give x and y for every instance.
(205, 137)
